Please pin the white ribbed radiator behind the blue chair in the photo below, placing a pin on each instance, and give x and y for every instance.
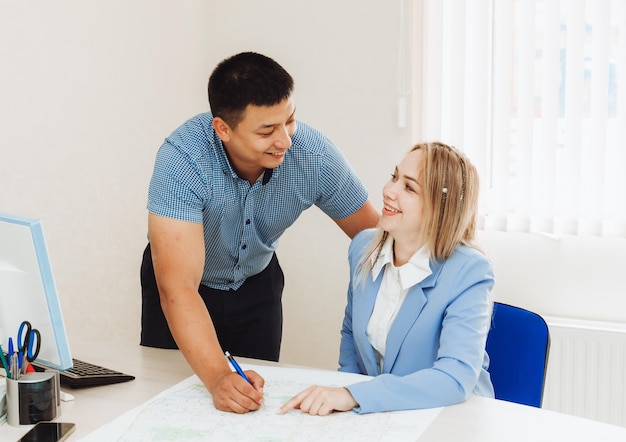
(587, 370)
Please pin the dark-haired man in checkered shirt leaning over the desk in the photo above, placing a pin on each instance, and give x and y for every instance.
(225, 186)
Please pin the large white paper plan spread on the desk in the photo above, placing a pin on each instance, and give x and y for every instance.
(185, 412)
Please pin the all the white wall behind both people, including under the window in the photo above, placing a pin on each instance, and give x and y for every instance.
(88, 91)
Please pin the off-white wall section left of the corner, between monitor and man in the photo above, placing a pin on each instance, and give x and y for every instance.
(88, 91)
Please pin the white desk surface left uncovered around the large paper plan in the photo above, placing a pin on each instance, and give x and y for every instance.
(478, 419)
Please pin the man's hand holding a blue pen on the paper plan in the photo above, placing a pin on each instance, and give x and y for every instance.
(232, 393)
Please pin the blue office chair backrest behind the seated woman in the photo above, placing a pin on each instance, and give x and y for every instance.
(518, 345)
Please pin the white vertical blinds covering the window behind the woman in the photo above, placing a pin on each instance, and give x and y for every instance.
(530, 90)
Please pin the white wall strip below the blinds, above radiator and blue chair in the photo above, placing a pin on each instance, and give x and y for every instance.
(567, 276)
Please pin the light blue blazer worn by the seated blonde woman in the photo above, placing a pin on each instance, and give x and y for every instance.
(435, 353)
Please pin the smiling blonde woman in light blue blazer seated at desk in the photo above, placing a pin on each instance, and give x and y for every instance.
(415, 282)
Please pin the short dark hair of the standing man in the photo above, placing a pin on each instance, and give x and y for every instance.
(244, 79)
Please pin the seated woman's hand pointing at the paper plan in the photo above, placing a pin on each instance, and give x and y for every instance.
(320, 401)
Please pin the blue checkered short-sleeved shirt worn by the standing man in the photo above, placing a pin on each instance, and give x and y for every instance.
(193, 181)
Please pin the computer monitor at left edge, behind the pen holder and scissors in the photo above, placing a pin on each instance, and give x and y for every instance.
(28, 291)
